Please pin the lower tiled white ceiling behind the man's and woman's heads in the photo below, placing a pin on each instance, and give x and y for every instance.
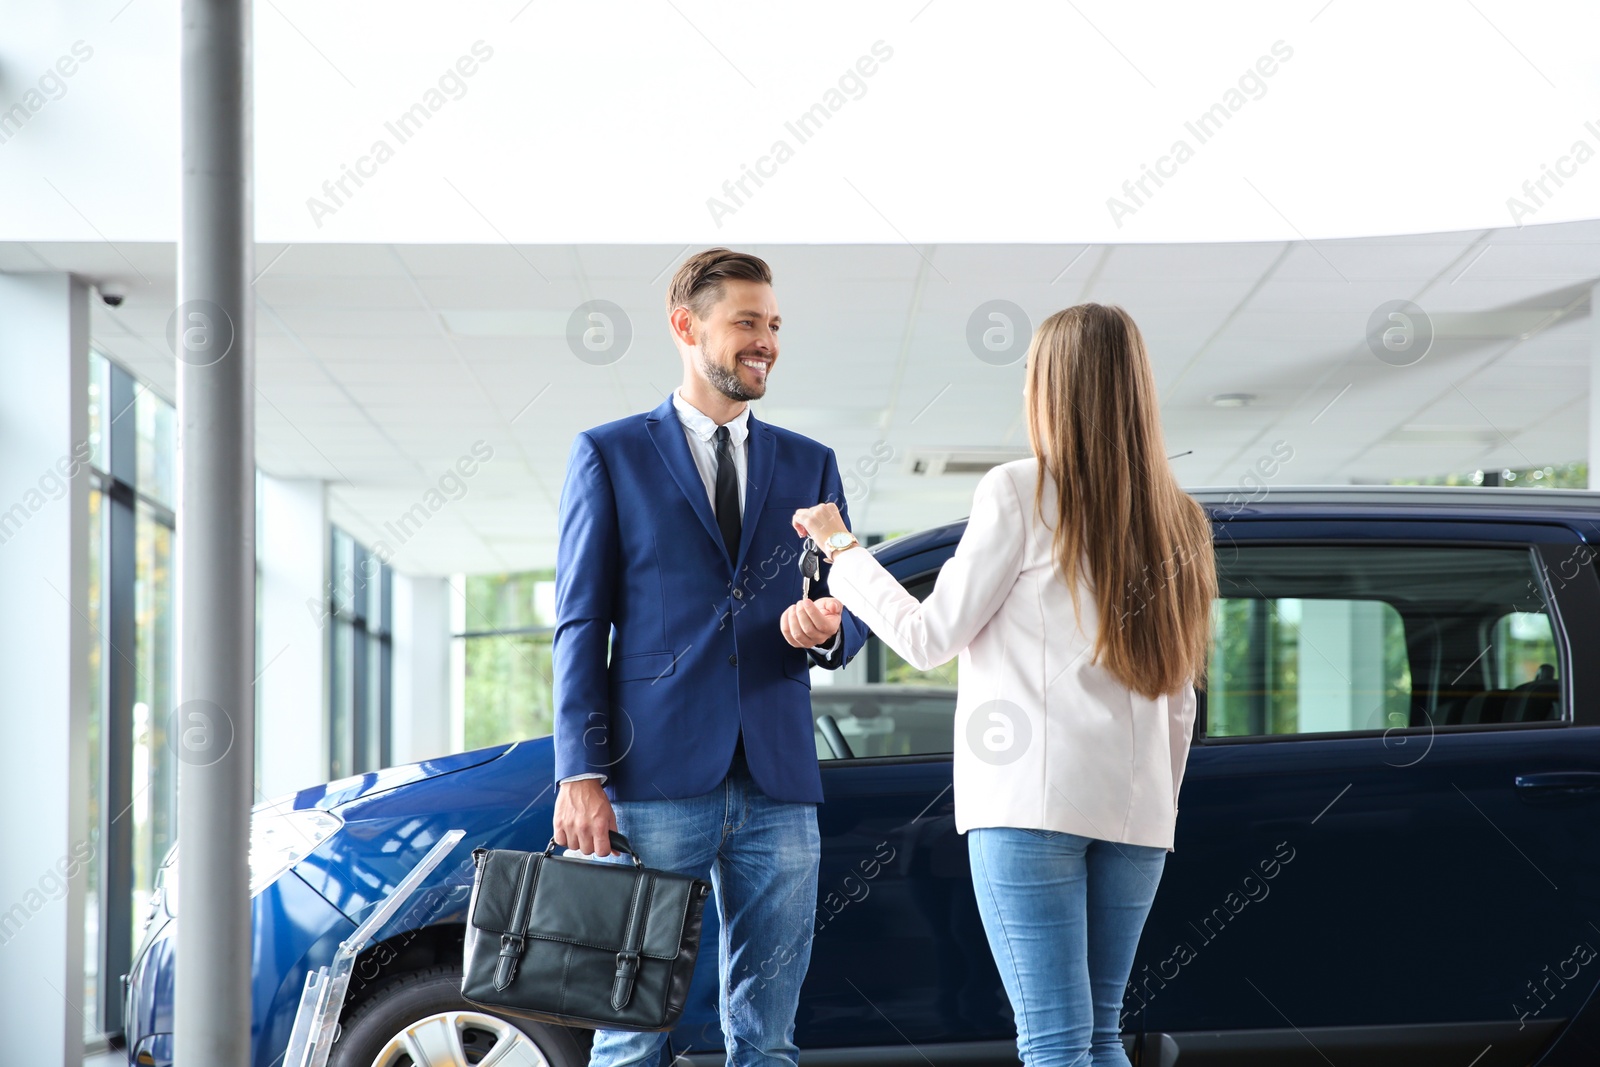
(380, 366)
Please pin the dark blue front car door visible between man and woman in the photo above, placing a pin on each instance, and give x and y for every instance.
(898, 953)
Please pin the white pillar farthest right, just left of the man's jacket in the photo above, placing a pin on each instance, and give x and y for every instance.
(422, 725)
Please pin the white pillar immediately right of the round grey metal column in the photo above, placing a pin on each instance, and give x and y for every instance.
(294, 685)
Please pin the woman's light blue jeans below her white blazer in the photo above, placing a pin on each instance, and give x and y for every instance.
(1063, 916)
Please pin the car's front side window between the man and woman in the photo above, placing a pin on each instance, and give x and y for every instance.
(900, 711)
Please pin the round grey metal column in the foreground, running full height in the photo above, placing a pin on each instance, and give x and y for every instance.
(215, 717)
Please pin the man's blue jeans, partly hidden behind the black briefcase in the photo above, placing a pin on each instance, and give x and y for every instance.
(762, 860)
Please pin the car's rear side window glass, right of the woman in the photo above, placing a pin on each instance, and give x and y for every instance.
(1335, 639)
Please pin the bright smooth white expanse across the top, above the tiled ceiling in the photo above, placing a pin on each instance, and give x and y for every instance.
(930, 121)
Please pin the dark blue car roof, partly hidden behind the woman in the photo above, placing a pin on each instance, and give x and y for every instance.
(1353, 502)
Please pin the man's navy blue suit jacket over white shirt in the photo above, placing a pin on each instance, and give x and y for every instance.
(695, 645)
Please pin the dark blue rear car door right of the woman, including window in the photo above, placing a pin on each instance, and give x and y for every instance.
(1390, 823)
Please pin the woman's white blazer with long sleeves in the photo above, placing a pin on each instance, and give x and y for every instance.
(1044, 738)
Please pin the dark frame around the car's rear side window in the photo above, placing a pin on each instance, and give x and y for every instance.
(1537, 553)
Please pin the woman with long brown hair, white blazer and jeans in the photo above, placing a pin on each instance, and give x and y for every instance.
(1079, 602)
